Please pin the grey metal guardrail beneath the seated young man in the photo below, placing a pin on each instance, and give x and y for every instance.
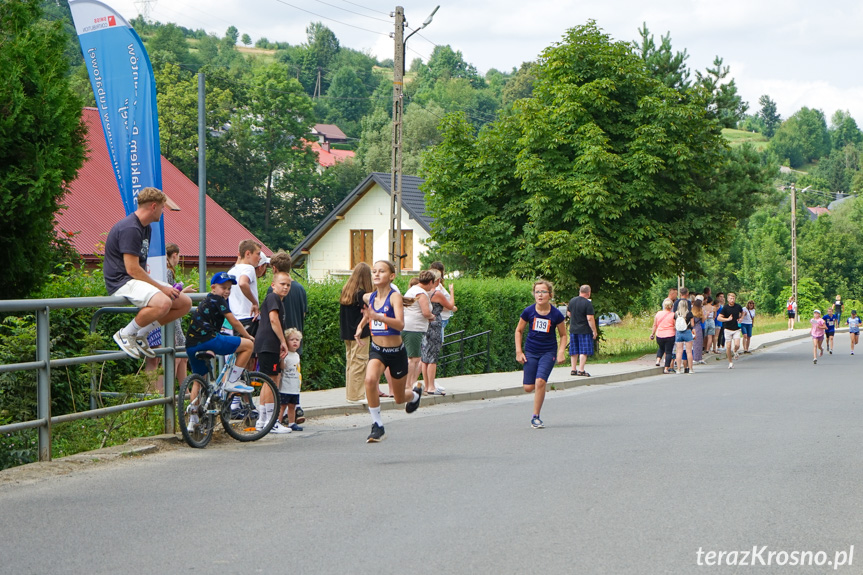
(44, 364)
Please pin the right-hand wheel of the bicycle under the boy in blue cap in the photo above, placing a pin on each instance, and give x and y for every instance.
(240, 418)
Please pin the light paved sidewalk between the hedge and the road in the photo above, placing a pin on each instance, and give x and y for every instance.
(489, 385)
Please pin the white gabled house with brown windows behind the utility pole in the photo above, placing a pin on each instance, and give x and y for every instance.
(357, 230)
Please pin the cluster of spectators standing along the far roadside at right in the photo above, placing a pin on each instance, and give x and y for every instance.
(691, 325)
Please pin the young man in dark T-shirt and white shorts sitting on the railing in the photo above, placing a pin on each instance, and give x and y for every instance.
(124, 269)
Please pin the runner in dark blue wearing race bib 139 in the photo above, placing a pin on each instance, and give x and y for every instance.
(539, 356)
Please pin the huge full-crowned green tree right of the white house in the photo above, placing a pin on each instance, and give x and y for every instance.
(610, 178)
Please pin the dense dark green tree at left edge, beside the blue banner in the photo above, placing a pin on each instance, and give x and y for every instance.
(41, 141)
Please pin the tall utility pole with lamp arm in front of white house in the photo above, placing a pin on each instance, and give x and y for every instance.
(396, 250)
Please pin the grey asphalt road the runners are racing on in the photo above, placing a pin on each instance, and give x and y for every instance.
(628, 478)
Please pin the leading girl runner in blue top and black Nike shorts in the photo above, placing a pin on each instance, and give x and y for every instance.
(384, 313)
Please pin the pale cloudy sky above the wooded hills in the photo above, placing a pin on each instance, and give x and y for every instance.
(800, 53)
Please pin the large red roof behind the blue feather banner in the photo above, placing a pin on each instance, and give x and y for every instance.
(93, 205)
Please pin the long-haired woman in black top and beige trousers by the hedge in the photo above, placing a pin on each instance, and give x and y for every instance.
(350, 315)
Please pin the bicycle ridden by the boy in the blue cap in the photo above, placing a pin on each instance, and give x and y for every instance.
(202, 398)
